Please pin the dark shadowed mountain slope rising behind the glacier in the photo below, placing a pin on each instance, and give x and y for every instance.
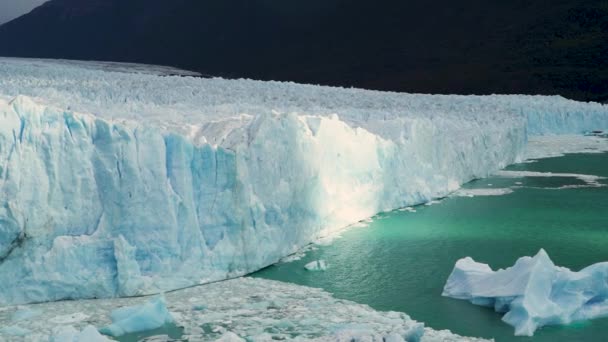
(469, 46)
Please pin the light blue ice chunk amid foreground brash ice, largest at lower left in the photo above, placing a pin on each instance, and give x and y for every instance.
(130, 319)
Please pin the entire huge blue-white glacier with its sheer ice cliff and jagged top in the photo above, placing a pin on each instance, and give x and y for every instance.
(121, 184)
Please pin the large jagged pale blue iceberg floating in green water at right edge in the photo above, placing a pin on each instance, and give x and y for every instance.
(534, 292)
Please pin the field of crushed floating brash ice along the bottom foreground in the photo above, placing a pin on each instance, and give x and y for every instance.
(244, 309)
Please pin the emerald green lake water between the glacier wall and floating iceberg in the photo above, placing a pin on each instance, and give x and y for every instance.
(402, 260)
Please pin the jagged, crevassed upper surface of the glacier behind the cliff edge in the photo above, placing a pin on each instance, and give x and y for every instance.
(209, 109)
